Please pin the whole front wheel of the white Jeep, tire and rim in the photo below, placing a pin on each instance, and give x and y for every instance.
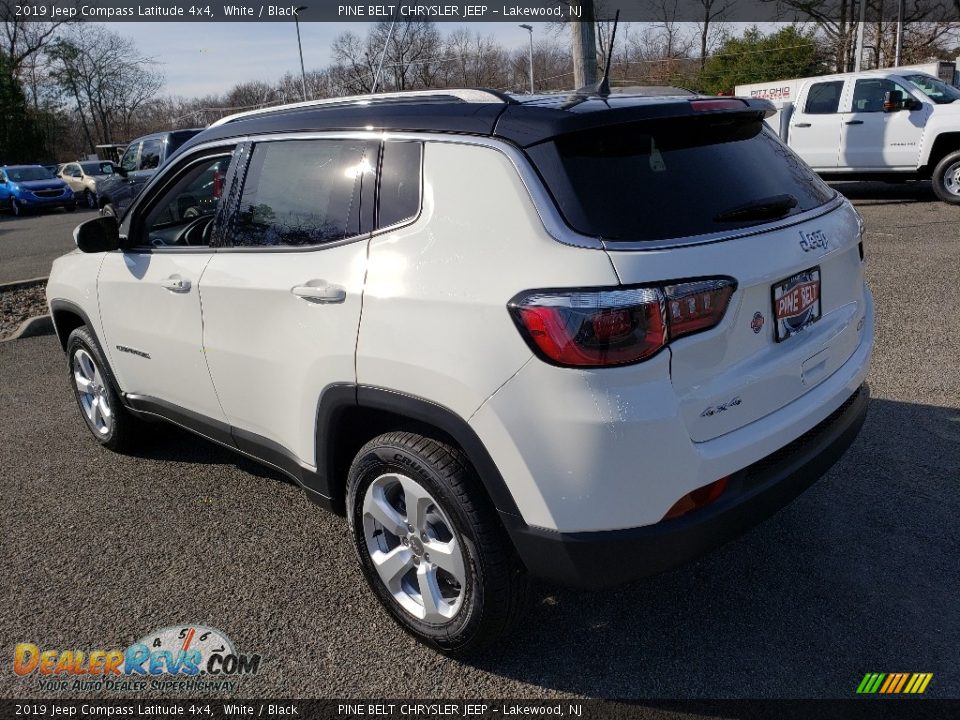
(97, 395)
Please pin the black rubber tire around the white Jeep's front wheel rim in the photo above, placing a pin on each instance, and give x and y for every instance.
(124, 429)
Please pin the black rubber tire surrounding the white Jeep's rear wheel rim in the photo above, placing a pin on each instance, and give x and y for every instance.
(495, 592)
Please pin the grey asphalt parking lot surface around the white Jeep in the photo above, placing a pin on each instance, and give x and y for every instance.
(860, 574)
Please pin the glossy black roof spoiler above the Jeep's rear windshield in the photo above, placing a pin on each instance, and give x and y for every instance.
(528, 124)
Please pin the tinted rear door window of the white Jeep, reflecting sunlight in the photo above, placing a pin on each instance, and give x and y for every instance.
(303, 192)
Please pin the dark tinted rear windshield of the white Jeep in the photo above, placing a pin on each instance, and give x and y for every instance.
(677, 178)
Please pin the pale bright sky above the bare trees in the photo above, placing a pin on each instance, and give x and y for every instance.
(202, 58)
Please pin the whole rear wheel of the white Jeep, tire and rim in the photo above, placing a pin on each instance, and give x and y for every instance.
(430, 544)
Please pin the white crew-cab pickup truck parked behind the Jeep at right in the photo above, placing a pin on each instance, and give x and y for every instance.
(898, 124)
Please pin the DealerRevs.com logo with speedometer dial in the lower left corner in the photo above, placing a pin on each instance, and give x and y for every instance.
(188, 657)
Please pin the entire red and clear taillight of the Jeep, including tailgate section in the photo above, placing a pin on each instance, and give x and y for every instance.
(607, 327)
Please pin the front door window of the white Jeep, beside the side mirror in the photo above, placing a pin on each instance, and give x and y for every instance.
(183, 215)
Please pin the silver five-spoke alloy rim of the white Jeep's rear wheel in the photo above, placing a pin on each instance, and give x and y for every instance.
(414, 548)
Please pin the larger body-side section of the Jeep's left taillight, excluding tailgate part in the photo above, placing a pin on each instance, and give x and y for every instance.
(593, 329)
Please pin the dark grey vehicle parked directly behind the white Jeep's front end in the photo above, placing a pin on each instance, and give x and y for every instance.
(139, 163)
